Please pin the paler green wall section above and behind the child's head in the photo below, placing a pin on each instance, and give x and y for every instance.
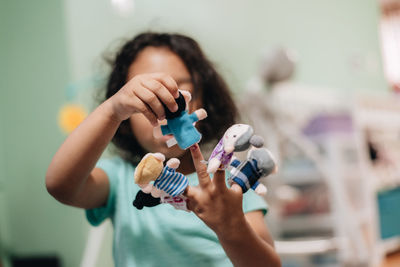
(336, 42)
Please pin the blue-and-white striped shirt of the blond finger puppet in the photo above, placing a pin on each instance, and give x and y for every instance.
(171, 182)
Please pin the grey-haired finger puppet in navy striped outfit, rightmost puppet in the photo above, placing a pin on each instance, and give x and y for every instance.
(259, 163)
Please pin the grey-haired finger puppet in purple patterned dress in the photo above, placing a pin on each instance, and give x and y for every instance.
(237, 138)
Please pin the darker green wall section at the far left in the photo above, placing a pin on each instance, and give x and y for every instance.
(35, 72)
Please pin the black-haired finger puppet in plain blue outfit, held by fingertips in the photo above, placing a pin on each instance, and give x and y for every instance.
(180, 124)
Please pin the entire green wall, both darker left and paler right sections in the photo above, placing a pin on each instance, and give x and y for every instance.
(47, 44)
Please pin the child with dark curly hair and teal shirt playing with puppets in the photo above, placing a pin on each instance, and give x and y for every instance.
(225, 227)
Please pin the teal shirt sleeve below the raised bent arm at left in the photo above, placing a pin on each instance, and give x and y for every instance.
(97, 215)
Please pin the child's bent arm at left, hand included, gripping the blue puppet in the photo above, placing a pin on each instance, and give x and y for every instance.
(71, 177)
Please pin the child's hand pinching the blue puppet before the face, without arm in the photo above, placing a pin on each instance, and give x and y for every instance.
(144, 94)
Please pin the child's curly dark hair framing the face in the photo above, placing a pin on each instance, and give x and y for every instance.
(208, 85)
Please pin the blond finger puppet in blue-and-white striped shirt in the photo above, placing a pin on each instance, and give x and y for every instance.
(166, 180)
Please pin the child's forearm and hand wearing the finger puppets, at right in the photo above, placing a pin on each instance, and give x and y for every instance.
(244, 237)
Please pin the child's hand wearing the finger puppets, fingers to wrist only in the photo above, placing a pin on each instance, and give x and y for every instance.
(212, 201)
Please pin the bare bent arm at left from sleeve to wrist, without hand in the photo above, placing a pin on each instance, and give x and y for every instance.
(70, 176)
